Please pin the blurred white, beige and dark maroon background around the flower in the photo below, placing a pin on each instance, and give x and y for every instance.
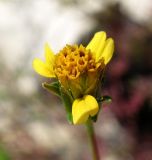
(33, 122)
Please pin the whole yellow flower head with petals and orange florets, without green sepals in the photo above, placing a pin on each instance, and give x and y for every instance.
(78, 69)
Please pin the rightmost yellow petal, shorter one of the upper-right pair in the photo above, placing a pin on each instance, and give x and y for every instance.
(108, 50)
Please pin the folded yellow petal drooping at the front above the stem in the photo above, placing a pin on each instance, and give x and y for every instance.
(83, 108)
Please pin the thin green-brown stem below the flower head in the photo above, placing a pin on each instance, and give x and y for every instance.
(92, 140)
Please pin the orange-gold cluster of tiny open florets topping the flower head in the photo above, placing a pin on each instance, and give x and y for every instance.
(72, 61)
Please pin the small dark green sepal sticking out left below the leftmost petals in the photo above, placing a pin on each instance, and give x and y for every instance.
(53, 87)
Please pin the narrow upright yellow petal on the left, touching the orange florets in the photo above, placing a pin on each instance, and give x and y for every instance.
(49, 55)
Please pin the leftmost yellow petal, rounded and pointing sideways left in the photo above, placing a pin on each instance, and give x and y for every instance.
(42, 68)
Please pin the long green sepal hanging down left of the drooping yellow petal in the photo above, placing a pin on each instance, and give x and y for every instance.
(68, 105)
